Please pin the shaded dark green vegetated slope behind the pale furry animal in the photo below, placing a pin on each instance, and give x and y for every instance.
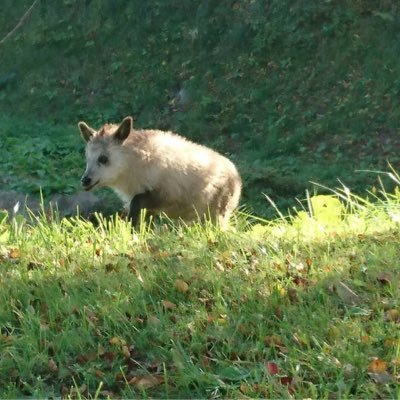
(292, 91)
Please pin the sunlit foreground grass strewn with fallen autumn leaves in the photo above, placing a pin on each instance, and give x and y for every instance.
(299, 307)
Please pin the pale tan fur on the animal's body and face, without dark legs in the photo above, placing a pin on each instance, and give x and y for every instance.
(190, 179)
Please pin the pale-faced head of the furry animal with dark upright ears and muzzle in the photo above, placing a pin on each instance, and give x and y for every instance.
(103, 153)
